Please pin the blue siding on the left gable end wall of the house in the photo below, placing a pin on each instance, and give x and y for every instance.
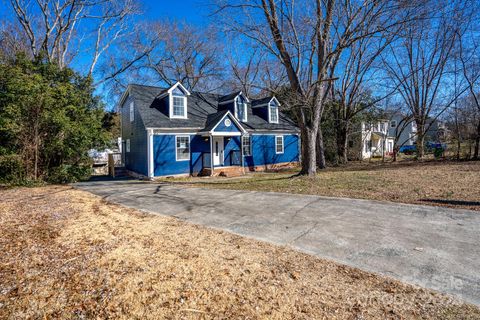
(136, 159)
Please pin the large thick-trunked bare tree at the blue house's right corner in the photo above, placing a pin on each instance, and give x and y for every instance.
(307, 41)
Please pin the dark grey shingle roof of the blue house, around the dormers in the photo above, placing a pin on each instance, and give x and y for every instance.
(202, 111)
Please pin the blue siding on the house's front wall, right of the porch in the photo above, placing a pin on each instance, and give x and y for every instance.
(263, 150)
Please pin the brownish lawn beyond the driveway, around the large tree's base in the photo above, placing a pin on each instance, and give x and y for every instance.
(442, 183)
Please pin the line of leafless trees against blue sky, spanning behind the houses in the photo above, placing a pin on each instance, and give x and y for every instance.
(332, 63)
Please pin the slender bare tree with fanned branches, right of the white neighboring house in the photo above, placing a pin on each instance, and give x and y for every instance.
(418, 65)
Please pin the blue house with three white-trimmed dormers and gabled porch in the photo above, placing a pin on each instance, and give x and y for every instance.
(171, 131)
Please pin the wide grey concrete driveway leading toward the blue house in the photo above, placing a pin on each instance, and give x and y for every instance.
(433, 247)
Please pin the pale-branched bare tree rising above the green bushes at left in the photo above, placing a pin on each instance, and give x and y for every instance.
(52, 27)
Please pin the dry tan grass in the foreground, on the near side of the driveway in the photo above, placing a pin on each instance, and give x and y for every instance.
(69, 254)
